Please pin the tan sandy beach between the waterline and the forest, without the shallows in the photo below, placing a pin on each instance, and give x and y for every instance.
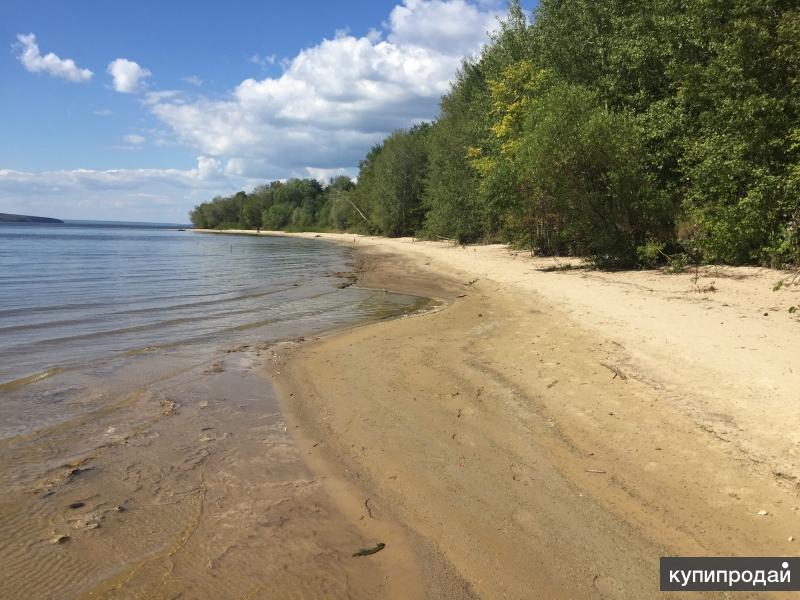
(552, 431)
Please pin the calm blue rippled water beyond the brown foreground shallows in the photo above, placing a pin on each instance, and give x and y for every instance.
(71, 295)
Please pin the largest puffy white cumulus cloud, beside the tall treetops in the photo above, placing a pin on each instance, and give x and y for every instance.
(337, 98)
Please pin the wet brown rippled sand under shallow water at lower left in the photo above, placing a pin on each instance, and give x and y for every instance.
(191, 487)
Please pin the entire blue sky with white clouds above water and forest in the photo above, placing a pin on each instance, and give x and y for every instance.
(138, 111)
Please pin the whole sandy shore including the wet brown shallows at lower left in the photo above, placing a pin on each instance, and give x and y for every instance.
(528, 427)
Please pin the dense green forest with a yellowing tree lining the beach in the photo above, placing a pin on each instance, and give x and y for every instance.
(630, 133)
